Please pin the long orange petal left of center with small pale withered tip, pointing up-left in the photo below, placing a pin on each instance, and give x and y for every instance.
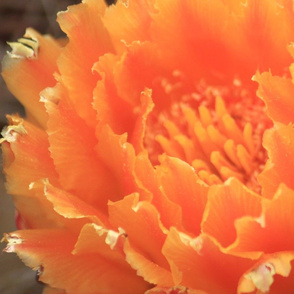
(72, 147)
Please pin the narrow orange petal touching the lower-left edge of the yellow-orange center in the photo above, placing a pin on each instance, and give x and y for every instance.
(182, 186)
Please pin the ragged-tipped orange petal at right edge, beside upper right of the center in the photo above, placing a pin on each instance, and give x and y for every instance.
(277, 93)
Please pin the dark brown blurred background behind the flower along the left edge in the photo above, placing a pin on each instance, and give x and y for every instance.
(15, 17)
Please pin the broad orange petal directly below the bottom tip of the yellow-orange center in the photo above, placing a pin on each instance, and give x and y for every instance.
(226, 203)
